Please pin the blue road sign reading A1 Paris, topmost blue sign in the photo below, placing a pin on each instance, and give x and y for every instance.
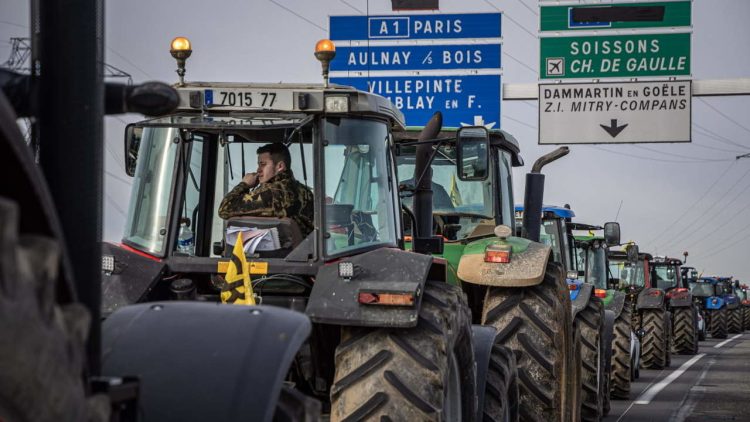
(415, 27)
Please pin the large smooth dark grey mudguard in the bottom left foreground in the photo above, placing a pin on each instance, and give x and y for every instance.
(199, 361)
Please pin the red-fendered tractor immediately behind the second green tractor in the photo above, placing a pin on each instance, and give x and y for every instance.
(650, 318)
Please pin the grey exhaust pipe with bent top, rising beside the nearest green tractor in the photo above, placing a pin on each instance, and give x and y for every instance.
(534, 194)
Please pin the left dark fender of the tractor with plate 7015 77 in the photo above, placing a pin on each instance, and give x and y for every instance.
(133, 277)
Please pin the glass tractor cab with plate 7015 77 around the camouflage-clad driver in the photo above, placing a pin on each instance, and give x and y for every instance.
(175, 243)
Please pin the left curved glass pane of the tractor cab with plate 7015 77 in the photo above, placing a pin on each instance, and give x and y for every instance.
(147, 223)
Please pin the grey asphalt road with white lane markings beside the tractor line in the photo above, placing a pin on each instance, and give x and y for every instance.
(713, 385)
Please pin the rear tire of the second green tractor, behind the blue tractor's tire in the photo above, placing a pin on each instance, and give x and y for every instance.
(620, 377)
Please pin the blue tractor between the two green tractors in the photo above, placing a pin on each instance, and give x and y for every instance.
(596, 326)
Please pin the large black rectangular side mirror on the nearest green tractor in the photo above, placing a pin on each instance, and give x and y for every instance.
(472, 155)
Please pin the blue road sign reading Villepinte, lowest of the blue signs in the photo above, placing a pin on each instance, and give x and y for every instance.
(463, 100)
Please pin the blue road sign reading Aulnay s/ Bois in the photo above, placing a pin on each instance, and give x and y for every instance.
(417, 57)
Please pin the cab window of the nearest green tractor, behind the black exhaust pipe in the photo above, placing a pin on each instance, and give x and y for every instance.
(461, 208)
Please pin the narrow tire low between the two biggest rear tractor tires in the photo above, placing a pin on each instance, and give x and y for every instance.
(501, 388)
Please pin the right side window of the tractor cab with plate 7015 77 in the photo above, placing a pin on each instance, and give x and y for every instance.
(359, 189)
